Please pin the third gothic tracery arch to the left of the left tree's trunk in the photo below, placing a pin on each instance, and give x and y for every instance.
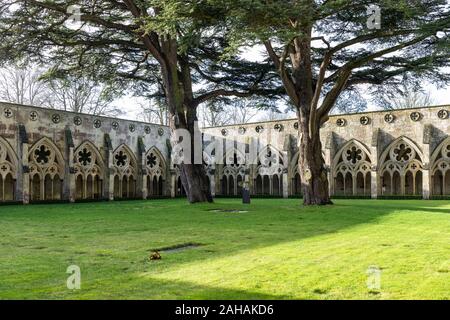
(89, 171)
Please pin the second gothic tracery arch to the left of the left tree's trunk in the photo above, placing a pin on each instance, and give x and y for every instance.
(125, 172)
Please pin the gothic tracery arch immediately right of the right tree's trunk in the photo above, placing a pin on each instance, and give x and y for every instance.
(351, 169)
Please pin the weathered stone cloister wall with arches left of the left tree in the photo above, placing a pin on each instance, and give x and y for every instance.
(60, 155)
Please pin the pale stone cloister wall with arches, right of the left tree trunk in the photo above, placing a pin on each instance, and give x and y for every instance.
(389, 153)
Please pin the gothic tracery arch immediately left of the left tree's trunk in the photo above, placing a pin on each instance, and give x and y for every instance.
(156, 172)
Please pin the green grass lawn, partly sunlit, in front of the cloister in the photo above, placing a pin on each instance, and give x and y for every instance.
(277, 250)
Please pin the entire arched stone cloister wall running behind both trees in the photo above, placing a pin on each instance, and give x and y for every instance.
(50, 154)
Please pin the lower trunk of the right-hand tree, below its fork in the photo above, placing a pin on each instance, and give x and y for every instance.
(312, 168)
